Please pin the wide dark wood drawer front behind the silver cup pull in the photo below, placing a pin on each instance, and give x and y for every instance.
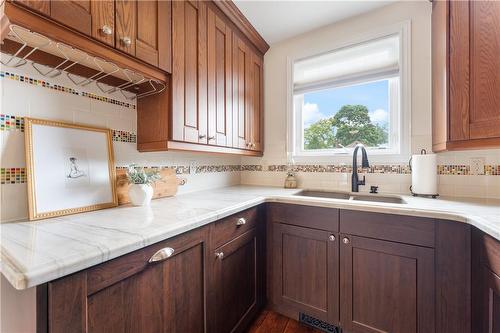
(106, 274)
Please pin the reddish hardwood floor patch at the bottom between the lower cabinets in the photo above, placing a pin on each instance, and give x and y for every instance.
(272, 322)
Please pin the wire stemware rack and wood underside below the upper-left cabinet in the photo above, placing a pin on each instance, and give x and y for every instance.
(51, 59)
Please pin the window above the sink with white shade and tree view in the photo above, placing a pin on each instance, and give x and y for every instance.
(351, 95)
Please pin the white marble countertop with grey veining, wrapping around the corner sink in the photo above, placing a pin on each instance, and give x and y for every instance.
(36, 252)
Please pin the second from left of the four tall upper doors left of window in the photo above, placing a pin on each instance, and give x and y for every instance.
(219, 81)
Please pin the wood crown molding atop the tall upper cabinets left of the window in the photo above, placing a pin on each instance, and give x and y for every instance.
(242, 23)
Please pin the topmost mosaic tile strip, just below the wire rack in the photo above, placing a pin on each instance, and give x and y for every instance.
(48, 85)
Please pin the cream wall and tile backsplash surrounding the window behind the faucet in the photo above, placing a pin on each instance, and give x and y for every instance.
(454, 170)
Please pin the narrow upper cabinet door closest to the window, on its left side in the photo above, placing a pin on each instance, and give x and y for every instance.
(255, 102)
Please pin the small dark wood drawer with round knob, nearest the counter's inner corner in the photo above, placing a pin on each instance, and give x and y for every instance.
(234, 225)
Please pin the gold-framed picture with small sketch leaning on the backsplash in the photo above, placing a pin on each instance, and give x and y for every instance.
(70, 168)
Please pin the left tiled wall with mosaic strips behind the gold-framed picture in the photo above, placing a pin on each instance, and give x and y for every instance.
(24, 92)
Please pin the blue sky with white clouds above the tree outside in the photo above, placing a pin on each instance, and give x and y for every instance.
(325, 103)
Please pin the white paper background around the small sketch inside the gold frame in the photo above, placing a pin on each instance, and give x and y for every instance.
(54, 190)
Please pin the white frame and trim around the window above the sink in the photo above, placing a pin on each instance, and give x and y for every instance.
(399, 100)
